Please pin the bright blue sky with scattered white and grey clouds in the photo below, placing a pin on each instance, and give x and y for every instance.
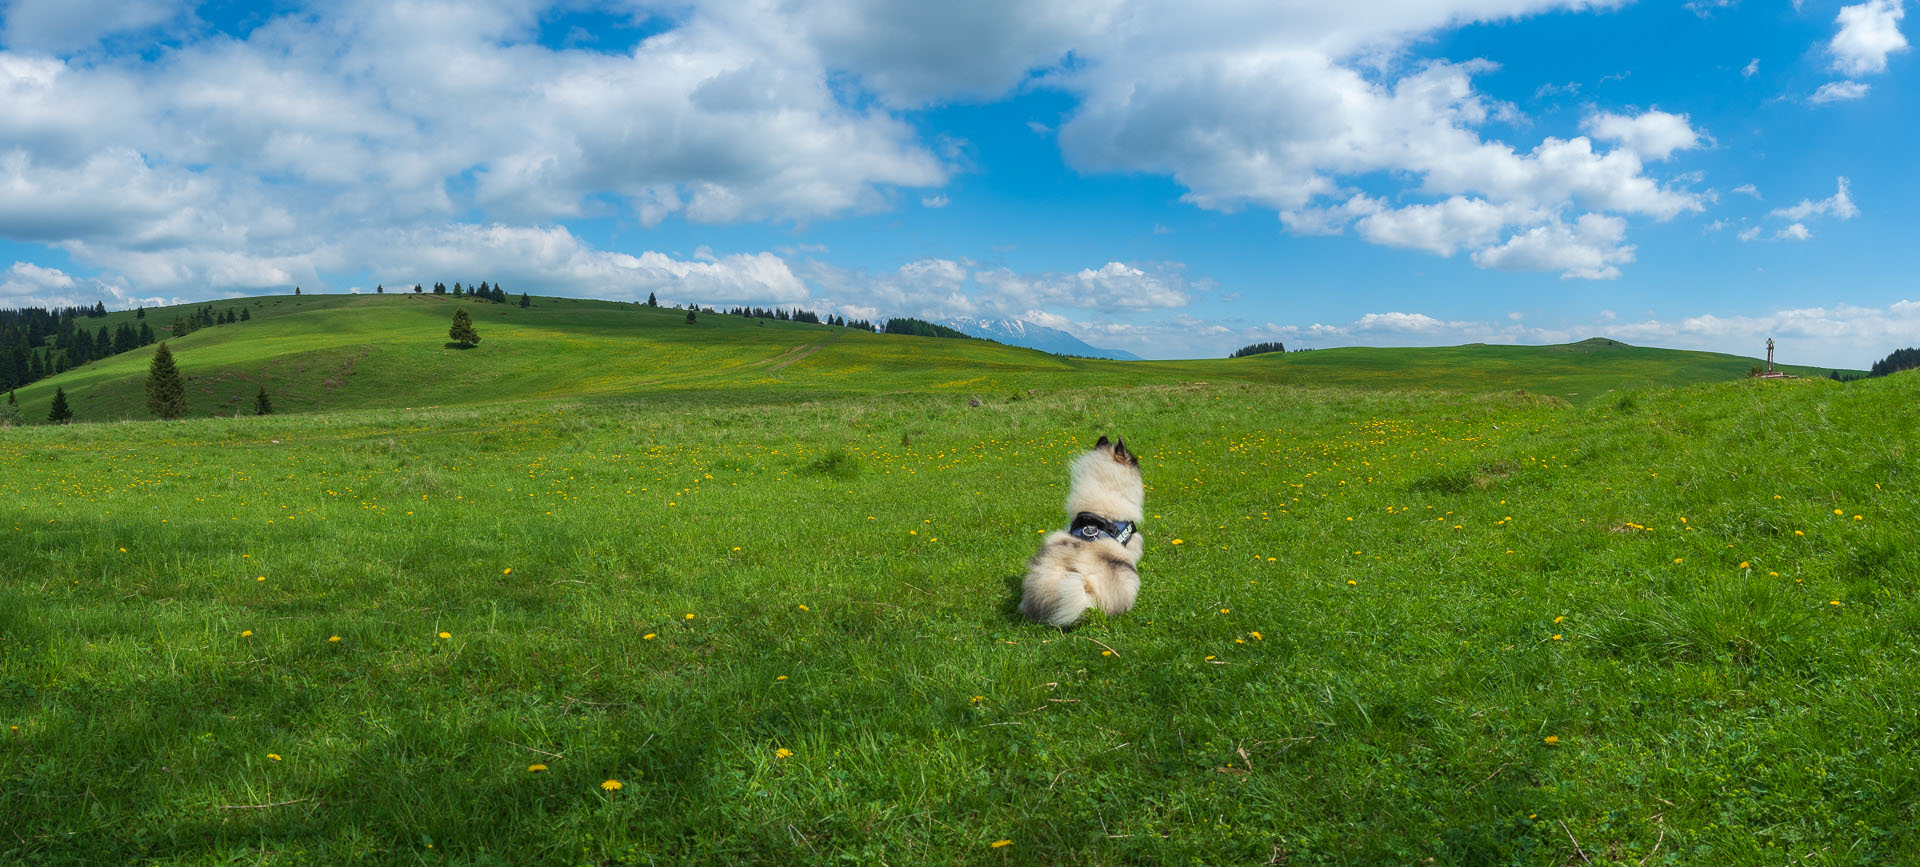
(1174, 179)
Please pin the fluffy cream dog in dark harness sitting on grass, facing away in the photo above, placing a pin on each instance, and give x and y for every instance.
(1093, 561)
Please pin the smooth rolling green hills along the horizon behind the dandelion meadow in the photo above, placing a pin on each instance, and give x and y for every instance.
(391, 352)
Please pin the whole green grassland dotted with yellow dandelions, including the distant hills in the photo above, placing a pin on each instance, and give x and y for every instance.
(619, 590)
